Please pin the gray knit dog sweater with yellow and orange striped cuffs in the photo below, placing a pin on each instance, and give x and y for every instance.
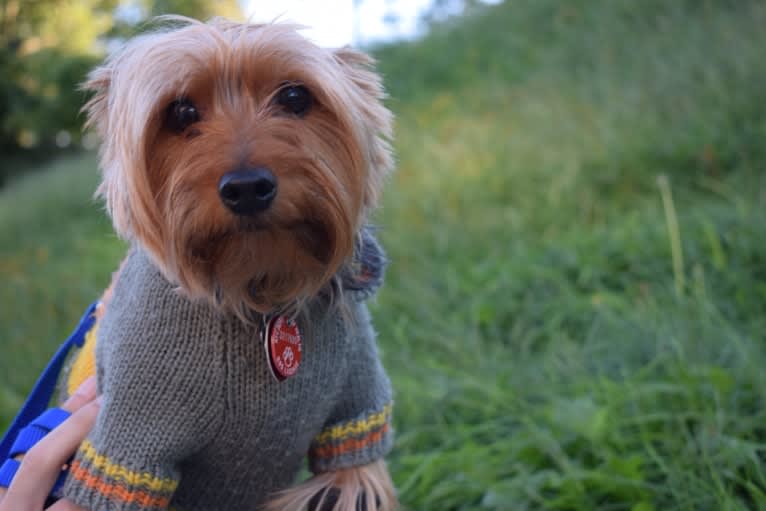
(192, 417)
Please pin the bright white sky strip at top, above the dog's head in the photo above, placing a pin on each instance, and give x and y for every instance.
(332, 21)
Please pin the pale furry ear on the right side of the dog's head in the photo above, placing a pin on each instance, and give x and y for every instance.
(374, 118)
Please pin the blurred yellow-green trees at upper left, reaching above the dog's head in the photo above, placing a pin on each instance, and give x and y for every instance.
(46, 50)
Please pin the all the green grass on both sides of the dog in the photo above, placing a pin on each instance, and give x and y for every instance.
(575, 310)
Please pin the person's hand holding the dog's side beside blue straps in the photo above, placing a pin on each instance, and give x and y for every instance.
(42, 463)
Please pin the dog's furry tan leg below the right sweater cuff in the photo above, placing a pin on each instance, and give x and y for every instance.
(366, 488)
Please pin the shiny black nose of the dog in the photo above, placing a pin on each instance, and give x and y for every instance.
(248, 191)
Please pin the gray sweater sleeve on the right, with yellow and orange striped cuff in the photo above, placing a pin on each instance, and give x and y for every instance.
(358, 431)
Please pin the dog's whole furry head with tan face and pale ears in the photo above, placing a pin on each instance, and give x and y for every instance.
(243, 158)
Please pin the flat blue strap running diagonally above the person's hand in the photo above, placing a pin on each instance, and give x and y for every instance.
(43, 390)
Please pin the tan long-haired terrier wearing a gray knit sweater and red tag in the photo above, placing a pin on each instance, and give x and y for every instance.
(241, 162)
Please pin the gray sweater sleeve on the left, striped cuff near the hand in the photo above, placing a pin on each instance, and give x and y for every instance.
(161, 403)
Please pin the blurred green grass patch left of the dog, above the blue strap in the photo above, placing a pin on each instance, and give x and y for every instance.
(57, 252)
